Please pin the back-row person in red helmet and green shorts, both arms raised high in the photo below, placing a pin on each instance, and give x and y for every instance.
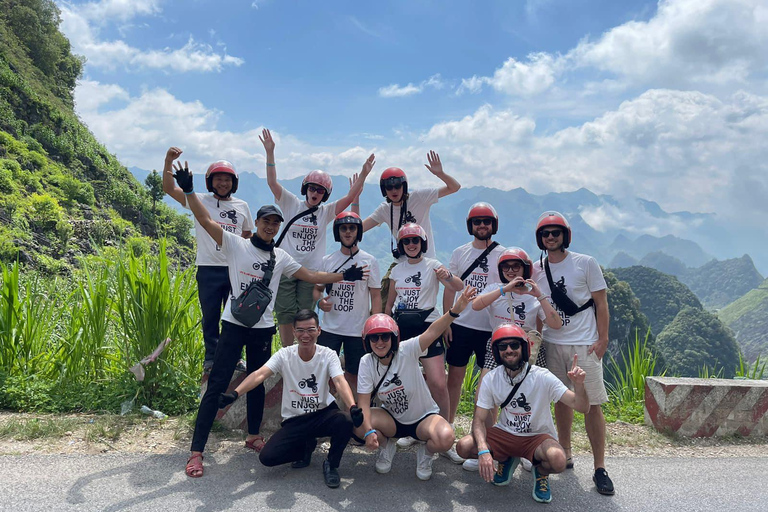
(304, 238)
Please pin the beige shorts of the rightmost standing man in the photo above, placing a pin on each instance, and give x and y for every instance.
(560, 361)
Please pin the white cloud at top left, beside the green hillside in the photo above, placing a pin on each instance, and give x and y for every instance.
(82, 25)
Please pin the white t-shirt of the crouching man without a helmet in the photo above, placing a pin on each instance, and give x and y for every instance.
(305, 383)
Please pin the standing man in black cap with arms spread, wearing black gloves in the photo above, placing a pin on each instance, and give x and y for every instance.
(247, 261)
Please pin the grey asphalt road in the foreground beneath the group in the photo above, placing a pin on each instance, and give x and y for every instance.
(157, 482)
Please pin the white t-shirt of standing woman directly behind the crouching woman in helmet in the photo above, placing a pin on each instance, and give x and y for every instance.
(416, 285)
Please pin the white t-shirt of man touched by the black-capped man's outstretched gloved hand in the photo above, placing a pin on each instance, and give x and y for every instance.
(351, 300)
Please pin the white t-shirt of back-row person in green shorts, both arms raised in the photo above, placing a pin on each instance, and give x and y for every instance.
(305, 240)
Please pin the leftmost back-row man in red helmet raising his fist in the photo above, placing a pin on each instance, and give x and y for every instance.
(233, 215)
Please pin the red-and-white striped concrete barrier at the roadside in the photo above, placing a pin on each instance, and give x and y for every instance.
(707, 407)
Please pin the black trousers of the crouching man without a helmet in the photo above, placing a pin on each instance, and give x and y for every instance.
(290, 442)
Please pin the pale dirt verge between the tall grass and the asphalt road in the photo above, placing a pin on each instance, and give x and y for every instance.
(94, 434)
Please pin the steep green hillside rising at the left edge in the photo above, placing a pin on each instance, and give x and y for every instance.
(63, 194)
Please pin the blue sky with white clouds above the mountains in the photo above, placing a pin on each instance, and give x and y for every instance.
(666, 101)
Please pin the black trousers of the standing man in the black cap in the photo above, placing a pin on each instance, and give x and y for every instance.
(258, 345)
